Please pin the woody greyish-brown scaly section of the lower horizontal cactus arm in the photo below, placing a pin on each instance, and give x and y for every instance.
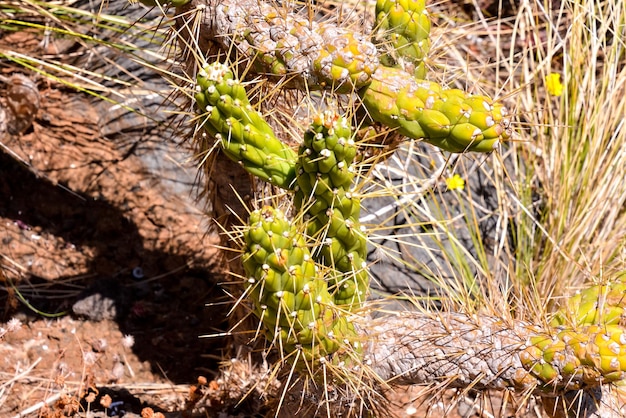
(417, 348)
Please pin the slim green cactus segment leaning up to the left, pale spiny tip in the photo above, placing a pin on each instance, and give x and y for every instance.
(244, 135)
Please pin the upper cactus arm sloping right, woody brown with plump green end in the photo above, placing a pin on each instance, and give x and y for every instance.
(310, 55)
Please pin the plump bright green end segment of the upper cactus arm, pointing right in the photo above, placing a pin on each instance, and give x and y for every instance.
(447, 118)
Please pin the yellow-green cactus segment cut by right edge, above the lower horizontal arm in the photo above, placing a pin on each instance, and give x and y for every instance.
(599, 304)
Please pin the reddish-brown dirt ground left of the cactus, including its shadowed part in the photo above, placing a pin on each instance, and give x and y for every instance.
(110, 267)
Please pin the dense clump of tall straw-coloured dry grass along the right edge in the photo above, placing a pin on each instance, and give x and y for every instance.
(578, 142)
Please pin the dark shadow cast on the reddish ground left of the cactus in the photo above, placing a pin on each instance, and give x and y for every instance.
(152, 294)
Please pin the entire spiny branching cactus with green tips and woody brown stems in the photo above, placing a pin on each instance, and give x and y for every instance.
(304, 310)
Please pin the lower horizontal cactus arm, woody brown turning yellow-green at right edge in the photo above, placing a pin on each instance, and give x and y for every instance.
(490, 353)
